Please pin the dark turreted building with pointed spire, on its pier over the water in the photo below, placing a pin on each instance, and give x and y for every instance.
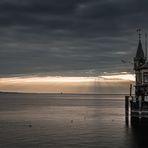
(139, 102)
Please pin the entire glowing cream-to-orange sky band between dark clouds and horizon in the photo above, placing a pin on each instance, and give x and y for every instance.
(47, 84)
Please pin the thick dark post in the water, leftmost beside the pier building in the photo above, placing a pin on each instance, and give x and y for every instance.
(127, 110)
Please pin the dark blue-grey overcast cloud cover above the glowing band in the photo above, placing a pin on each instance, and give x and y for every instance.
(69, 37)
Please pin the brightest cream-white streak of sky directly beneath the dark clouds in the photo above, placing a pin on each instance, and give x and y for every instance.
(45, 79)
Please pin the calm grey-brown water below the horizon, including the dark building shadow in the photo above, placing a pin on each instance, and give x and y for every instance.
(67, 121)
